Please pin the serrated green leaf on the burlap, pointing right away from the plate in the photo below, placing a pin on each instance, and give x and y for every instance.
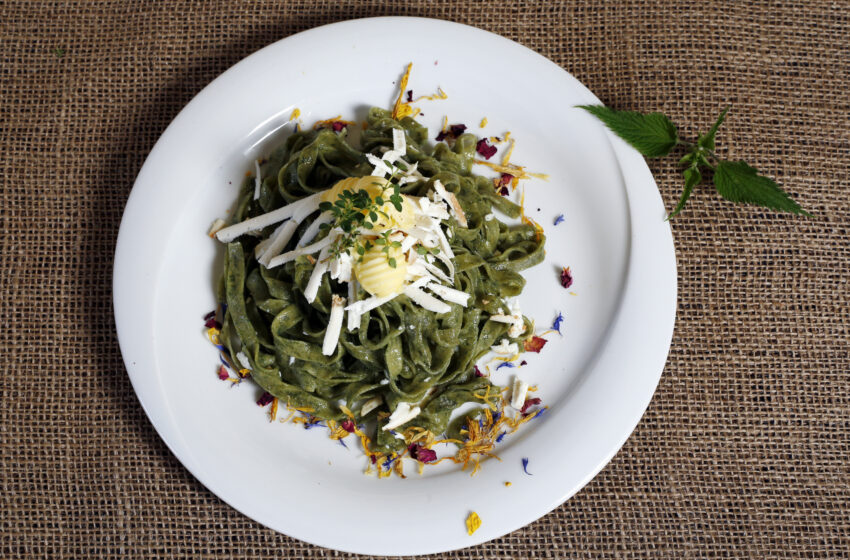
(739, 182)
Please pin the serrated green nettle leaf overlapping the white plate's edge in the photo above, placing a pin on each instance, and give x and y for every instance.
(652, 134)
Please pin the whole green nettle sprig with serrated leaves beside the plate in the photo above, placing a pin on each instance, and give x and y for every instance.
(655, 135)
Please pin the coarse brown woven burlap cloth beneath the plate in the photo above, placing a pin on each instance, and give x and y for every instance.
(743, 452)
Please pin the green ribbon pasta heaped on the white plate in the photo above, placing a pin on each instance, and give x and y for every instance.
(400, 352)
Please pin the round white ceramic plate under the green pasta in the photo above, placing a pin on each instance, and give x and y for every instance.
(597, 379)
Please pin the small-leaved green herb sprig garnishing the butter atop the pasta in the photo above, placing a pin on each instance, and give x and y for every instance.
(356, 210)
